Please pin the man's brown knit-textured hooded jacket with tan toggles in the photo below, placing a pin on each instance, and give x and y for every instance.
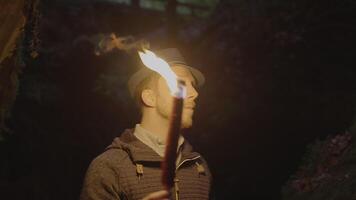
(129, 169)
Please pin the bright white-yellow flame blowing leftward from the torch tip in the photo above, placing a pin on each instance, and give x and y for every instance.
(157, 64)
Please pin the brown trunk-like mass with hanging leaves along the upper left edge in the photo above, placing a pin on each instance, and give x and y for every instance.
(16, 47)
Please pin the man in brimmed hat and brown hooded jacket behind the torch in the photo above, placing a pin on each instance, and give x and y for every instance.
(130, 166)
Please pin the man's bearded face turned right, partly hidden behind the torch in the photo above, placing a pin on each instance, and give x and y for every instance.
(164, 99)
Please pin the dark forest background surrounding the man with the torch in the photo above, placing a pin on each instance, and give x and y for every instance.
(280, 75)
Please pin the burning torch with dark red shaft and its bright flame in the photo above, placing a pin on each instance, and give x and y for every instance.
(178, 92)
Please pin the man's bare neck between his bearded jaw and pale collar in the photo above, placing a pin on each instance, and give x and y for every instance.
(155, 123)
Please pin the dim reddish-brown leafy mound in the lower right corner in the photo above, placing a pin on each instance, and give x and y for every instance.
(327, 172)
